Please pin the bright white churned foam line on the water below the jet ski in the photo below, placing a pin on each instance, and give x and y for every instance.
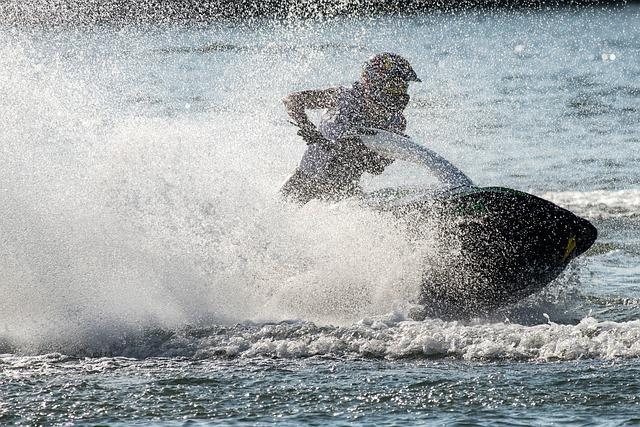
(433, 338)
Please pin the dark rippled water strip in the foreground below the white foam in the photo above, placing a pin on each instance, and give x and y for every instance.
(322, 391)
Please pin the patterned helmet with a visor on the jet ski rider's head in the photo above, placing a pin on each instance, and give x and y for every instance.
(386, 77)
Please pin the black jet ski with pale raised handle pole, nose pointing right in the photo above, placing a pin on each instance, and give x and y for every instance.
(492, 246)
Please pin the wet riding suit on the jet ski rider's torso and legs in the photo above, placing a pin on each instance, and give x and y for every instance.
(331, 169)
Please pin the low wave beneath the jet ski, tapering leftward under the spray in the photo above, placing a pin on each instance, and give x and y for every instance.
(389, 337)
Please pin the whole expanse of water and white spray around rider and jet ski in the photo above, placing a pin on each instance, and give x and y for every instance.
(150, 275)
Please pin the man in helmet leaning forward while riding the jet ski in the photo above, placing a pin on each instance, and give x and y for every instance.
(334, 162)
